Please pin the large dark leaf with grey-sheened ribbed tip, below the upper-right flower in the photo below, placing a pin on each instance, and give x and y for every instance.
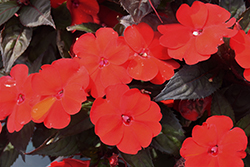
(193, 82)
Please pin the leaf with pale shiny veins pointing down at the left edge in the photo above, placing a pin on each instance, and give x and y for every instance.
(14, 40)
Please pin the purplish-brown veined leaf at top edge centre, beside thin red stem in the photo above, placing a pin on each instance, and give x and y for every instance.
(139, 8)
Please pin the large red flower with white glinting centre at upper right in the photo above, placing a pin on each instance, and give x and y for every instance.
(201, 30)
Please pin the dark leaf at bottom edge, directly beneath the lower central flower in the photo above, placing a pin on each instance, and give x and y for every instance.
(141, 159)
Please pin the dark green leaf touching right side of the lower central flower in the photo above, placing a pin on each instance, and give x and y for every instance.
(170, 139)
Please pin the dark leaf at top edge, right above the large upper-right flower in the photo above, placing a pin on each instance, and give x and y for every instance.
(235, 7)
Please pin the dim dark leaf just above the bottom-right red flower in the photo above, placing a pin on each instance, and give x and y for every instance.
(220, 106)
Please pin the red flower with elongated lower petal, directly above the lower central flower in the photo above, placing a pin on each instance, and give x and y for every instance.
(103, 56)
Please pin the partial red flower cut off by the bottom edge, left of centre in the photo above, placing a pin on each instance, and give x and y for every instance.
(69, 162)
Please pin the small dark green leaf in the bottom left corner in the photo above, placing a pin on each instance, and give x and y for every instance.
(9, 156)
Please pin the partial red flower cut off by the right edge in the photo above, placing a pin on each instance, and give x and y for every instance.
(240, 43)
